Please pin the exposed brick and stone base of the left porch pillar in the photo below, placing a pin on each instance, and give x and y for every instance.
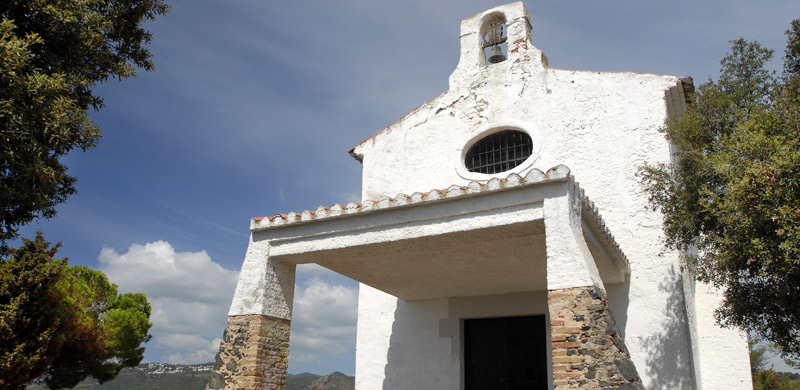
(254, 354)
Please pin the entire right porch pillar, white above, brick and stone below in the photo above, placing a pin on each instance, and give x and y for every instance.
(588, 351)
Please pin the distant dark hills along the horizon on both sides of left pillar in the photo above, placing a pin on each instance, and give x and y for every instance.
(158, 376)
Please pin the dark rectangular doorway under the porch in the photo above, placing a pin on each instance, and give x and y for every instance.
(507, 353)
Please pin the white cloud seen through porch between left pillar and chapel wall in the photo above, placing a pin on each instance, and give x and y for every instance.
(324, 319)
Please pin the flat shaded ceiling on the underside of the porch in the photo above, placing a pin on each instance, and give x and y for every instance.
(495, 260)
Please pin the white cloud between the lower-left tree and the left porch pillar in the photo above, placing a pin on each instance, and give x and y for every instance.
(189, 294)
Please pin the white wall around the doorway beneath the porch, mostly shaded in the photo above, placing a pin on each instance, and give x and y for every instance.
(417, 345)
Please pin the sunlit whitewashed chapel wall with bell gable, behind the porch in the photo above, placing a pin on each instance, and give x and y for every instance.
(604, 126)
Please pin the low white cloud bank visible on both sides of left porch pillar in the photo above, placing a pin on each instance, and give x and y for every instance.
(190, 296)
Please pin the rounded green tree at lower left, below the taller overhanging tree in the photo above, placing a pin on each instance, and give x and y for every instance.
(64, 323)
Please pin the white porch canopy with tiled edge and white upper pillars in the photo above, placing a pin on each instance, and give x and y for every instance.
(537, 232)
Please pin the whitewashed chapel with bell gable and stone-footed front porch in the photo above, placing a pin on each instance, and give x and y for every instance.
(438, 248)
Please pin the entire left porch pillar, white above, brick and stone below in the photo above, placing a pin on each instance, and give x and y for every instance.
(254, 352)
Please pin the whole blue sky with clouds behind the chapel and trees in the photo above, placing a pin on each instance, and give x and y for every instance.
(253, 106)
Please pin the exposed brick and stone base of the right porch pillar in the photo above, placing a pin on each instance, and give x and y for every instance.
(588, 352)
